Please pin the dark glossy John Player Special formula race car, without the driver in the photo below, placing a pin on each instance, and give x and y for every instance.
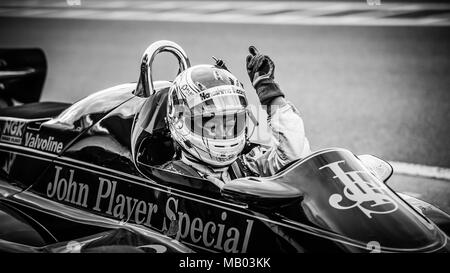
(85, 177)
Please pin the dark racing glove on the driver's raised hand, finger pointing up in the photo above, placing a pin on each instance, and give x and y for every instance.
(261, 70)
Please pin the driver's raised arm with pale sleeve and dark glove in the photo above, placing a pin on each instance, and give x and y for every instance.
(288, 134)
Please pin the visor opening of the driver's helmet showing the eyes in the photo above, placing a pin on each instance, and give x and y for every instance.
(218, 126)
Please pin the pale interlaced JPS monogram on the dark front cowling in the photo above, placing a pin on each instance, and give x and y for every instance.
(367, 195)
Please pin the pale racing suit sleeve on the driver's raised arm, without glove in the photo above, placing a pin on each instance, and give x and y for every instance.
(289, 143)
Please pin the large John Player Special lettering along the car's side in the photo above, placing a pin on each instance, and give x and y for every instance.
(166, 213)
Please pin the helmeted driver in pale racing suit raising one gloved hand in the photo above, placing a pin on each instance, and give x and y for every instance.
(207, 117)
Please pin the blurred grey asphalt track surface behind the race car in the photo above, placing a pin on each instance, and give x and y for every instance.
(377, 90)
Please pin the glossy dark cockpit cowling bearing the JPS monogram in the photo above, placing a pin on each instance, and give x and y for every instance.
(342, 196)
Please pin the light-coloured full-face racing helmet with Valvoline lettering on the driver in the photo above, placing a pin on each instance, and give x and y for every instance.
(207, 114)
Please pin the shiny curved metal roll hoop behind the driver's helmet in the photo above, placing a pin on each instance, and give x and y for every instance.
(145, 86)
